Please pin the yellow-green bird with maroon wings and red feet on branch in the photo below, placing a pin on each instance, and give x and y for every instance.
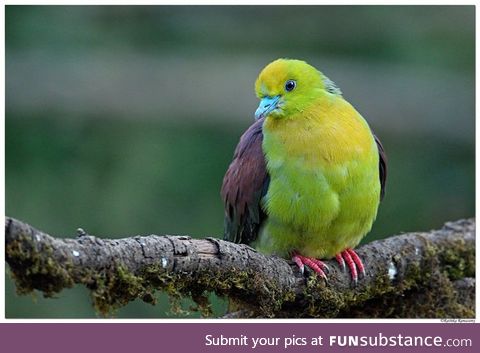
(307, 176)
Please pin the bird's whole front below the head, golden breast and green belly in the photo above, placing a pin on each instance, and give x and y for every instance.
(324, 185)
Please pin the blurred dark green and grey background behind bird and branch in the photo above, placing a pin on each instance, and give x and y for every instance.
(122, 120)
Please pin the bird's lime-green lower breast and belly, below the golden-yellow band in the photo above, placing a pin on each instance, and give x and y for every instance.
(316, 207)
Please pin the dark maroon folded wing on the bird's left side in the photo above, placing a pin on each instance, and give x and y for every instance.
(244, 184)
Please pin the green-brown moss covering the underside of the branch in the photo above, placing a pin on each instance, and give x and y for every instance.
(424, 286)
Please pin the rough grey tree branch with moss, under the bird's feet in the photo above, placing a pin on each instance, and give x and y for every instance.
(410, 275)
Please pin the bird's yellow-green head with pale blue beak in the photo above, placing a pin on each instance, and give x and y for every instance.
(287, 86)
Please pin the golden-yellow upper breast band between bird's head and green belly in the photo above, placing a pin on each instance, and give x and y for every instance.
(330, 132)
